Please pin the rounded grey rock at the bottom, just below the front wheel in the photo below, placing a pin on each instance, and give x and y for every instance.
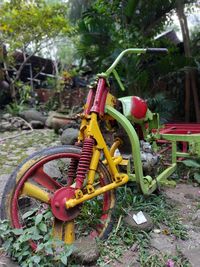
(86, 250)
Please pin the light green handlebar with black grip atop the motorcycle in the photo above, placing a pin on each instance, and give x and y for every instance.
(138, 51)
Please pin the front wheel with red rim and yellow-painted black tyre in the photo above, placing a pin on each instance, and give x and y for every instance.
(33, 184)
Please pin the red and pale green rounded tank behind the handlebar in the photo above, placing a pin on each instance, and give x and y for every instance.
(134, 107)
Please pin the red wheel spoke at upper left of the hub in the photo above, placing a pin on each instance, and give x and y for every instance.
(45, 180)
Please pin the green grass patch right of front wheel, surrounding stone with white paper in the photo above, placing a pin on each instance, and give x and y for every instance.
(123, 237)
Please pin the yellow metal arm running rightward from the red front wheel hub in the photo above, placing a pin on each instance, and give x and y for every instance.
(73, 202)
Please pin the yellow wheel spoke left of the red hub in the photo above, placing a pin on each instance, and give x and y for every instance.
(36, 192)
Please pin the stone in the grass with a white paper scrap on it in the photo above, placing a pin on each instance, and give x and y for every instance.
(147, 226)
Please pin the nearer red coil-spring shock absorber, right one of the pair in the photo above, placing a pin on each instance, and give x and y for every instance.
(84, 162)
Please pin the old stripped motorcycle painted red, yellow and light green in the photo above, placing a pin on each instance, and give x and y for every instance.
(91, 170)
